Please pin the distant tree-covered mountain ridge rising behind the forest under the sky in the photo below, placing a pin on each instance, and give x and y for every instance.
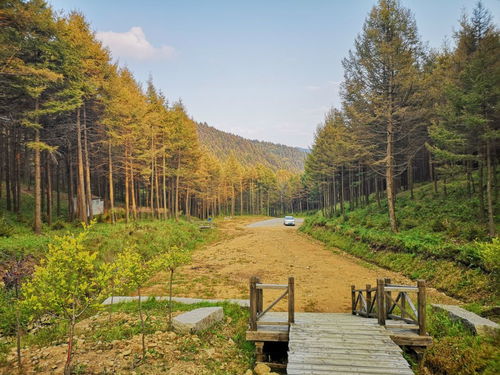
(251, 152)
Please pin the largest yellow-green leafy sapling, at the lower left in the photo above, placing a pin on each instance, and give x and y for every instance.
(68, 282)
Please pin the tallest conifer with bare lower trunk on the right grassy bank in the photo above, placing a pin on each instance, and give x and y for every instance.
(381, 95)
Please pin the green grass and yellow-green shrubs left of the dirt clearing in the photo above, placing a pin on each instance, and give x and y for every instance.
(61, 278)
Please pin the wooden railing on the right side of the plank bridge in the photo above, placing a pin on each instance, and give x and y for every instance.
(392, 302)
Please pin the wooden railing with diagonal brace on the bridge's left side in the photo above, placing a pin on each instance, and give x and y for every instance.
(257, 310)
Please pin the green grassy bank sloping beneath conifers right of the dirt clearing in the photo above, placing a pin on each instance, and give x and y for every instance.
(440, 240)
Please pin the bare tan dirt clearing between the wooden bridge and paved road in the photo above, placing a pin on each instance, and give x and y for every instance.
(323, 277)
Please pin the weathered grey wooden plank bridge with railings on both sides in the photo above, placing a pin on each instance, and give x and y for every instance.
(367, 341)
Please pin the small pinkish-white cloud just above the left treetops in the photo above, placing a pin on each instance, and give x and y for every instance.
(133, 44)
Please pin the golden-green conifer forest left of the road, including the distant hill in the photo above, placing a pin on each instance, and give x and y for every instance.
(75, 126)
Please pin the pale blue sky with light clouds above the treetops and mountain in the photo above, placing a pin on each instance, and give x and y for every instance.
(262, 69)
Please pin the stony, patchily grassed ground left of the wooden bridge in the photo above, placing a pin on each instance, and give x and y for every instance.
(108, 340)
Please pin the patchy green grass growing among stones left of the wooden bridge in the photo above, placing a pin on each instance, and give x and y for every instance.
(103, 329)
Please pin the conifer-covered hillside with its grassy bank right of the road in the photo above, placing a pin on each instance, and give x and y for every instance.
(413, 117)
